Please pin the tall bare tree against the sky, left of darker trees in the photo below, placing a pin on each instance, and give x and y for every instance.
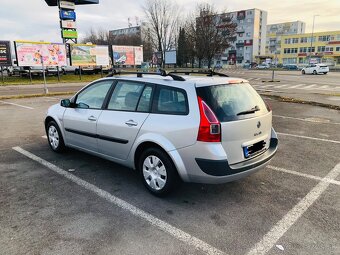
(162, 15)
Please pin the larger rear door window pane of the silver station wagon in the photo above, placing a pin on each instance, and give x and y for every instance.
(125, 96)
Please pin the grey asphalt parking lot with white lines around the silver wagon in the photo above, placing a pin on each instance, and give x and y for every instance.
(73, 203)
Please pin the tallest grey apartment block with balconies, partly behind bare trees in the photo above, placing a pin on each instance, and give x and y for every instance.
(250, 40)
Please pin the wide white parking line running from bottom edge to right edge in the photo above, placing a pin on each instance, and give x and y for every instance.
(281, 227)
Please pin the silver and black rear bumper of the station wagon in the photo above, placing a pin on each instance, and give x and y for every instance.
(214, 171)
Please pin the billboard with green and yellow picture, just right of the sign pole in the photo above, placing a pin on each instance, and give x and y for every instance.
(89, 55)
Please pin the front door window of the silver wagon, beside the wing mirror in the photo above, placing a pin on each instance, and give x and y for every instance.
(93, 97)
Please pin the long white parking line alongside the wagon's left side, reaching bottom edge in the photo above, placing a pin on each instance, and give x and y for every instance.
(173, 231)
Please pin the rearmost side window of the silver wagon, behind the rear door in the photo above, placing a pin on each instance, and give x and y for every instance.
(171, 101)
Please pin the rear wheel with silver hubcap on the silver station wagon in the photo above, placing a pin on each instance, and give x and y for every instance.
(159, 179)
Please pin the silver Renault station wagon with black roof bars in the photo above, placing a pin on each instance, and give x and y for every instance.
(169, 126)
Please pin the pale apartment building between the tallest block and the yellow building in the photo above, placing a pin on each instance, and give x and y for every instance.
(276, 31)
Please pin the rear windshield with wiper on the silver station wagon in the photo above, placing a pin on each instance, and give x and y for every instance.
(233, 101)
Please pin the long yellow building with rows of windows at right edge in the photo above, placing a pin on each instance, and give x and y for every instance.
(302, 49)
